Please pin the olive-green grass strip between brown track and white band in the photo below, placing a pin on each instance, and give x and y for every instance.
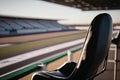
(24, 47)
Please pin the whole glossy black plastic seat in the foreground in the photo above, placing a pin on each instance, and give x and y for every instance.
(95, 50)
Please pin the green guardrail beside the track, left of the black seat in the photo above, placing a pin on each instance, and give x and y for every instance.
(34, 67)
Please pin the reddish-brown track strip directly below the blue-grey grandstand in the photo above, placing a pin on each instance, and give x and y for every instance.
(26, 38)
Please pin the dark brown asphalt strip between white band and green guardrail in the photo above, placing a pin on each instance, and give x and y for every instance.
(28, 61)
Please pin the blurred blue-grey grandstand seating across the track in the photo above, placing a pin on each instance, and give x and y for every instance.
(20, 26)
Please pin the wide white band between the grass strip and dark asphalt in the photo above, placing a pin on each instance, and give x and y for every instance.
(25, 56)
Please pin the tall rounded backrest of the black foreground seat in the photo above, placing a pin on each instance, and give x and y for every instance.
(96, 45)
